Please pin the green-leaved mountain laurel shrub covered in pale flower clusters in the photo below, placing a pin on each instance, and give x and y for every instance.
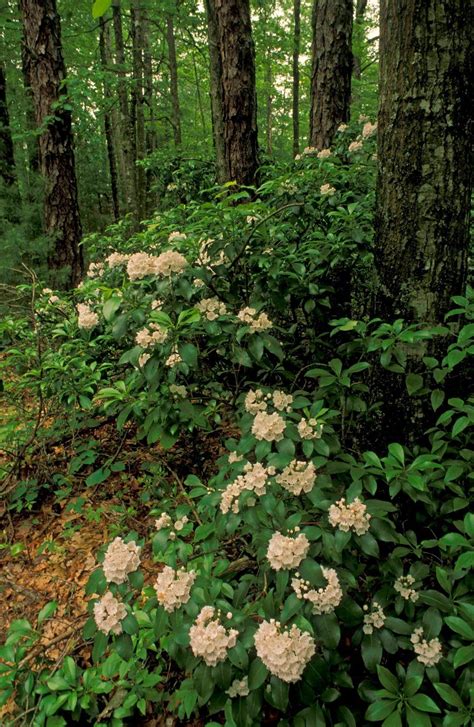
(310, 579)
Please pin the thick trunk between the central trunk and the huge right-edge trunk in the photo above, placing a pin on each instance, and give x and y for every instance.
(331, 69)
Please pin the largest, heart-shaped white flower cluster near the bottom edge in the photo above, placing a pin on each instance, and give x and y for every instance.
(285, 652)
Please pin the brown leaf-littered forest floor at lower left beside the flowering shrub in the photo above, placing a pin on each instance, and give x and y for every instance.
(48, 553)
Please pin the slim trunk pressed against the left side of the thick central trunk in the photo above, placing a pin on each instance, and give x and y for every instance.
(217, 111)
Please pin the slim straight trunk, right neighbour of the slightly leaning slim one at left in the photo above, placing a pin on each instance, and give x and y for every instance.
(138, 107)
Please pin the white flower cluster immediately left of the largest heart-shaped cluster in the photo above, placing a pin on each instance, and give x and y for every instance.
(209, 639)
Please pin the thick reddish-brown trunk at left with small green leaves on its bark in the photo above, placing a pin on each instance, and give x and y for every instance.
(46, 71)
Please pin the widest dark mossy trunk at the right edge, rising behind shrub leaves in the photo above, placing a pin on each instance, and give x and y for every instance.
(425, 142)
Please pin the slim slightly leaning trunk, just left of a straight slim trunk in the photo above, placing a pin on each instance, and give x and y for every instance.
(126, 157)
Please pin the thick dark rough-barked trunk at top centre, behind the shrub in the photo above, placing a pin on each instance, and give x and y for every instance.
(238, 90)
